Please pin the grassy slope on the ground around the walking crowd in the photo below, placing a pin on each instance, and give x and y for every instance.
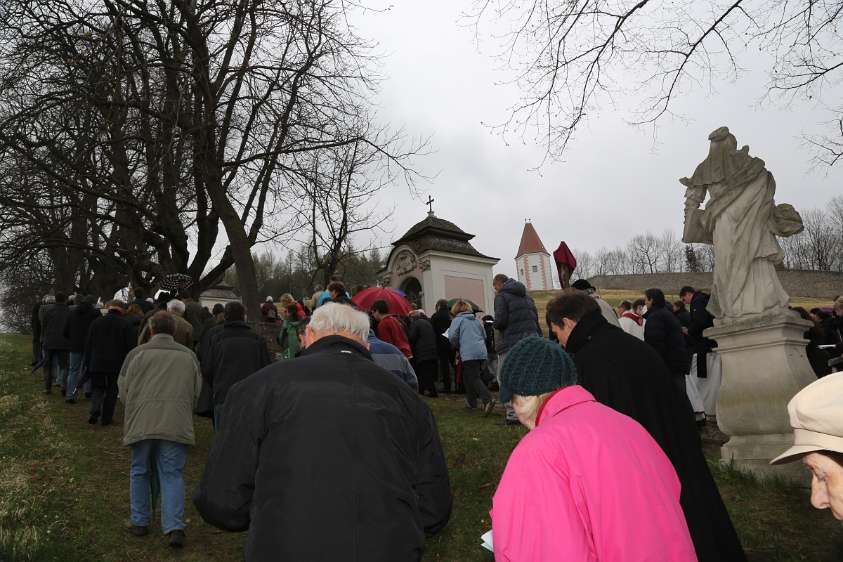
(64, 487)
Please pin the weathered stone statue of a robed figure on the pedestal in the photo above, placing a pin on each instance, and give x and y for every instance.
(742, 221)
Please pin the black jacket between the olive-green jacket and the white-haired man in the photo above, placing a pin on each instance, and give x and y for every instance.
(233, 353)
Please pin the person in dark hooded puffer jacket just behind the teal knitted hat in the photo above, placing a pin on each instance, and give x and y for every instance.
(516, 318)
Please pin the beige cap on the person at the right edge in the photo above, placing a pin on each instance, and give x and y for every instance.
(816, 416)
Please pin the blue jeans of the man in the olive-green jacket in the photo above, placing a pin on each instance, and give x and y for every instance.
(168, 457)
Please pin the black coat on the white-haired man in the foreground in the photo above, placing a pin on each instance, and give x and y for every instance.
(327, 457)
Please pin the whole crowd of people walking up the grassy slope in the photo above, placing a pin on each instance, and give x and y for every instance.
(331, 425)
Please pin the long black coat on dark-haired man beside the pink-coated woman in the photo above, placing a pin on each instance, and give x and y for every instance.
(628, 375)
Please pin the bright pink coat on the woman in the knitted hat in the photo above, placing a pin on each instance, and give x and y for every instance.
(588, 484)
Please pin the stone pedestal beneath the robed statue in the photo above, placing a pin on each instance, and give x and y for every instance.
(764, 365)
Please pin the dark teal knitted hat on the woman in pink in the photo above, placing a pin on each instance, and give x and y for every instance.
(535, 366)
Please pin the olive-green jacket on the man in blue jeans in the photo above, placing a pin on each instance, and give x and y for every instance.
(159, 386)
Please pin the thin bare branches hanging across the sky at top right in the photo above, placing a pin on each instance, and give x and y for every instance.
(573, 57)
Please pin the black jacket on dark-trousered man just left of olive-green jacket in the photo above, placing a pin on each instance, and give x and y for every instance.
(109, 341)
